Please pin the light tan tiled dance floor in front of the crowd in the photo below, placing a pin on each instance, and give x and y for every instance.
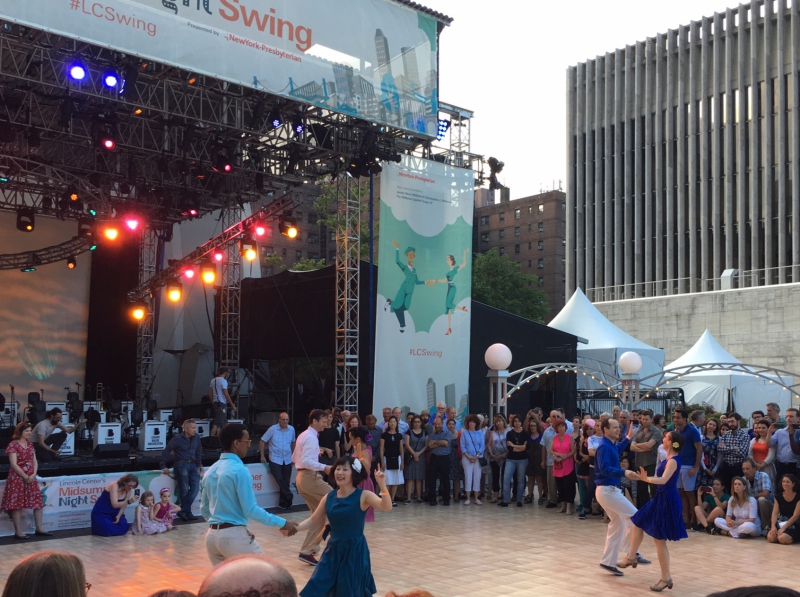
(472, 551)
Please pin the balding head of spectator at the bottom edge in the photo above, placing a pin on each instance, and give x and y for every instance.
(249, 575)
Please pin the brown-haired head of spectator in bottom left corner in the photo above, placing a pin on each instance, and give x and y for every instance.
(50, 573)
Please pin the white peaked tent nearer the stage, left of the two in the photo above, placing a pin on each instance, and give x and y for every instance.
(606, 342)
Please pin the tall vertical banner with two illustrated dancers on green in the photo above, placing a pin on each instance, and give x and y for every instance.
(424, 286)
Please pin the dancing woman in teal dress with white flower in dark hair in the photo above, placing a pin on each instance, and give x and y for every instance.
(344, 568)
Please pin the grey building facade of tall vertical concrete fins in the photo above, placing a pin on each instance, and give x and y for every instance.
(683, 158)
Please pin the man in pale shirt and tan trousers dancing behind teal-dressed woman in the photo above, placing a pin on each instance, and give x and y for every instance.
(310, 484)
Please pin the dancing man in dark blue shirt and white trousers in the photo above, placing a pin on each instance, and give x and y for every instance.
(607, 475)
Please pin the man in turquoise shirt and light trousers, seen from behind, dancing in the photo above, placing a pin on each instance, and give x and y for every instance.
(229, 500)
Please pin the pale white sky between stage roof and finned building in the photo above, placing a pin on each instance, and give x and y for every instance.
(506, 61)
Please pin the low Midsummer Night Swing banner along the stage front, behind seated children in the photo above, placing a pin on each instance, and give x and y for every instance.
(68, 501)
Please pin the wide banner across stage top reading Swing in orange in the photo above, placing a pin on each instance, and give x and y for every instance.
(372, 59)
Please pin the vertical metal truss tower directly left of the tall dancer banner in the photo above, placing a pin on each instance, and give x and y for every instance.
(348, 228)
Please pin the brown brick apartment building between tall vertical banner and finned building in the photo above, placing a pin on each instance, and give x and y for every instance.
(532, 231)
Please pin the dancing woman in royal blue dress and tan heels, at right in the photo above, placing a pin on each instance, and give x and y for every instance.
(661, 517)
